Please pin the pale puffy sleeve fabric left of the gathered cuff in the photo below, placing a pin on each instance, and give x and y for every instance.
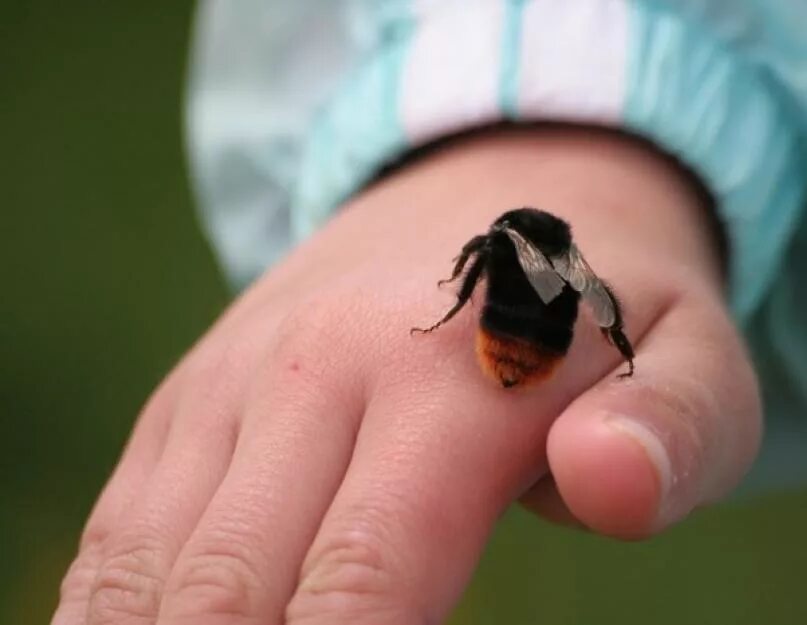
(261, 69)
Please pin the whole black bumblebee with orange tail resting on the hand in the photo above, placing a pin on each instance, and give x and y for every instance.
(536, 277)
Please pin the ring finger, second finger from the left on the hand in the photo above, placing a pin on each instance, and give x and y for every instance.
(140, 553)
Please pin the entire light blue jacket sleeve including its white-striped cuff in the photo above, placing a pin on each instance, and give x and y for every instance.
(346, 87)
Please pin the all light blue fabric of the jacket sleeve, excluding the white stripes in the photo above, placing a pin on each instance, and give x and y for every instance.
(294, 106)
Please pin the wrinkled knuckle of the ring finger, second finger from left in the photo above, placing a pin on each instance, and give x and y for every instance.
(128, 584)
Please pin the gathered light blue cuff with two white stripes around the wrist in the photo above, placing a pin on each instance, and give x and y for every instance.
(451, 66)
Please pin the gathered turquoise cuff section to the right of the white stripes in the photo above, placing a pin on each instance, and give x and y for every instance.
(690, 93)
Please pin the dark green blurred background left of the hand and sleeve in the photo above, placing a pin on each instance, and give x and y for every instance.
(106, 279)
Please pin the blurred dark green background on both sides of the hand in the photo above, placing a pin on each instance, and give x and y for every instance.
(106, 280)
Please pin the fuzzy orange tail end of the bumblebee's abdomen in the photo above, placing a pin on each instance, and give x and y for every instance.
(513, 362)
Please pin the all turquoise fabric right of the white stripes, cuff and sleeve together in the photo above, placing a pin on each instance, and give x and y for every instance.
(747, 140)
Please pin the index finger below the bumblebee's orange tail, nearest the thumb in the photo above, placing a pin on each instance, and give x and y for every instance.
(428, 479)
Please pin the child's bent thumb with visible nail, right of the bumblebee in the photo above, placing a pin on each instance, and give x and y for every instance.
(631, 457)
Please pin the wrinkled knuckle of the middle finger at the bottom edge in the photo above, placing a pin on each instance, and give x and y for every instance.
(219, 579)
